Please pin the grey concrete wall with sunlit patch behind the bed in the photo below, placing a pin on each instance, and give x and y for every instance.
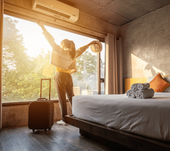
(146, 44)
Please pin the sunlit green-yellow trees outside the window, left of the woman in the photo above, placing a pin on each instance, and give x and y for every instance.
(21, 74)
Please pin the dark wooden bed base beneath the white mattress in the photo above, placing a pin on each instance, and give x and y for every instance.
(108, 135)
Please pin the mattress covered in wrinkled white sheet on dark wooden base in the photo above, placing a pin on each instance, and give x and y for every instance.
(146, 117)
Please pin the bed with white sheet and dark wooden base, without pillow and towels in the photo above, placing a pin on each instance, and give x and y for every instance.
(139, 124)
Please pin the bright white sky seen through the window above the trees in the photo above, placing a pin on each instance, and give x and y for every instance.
(35, 41)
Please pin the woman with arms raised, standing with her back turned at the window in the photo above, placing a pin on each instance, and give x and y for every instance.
(64, 58)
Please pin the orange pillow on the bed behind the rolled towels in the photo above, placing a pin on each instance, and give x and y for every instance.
(158, 83)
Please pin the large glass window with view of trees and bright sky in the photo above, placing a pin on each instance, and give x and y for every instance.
(26, 56)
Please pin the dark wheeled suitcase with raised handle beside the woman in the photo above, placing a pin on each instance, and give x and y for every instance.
(41, 112)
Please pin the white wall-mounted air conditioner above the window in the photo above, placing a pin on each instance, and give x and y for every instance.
(56, 9)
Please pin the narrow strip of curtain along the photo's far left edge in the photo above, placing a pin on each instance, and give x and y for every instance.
(1, 34)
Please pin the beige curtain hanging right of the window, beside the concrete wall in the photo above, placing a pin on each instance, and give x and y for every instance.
(114, 65)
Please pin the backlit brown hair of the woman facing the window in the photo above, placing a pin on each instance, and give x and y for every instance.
(71, 46)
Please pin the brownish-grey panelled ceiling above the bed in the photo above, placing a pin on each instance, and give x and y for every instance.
(117, 12)
